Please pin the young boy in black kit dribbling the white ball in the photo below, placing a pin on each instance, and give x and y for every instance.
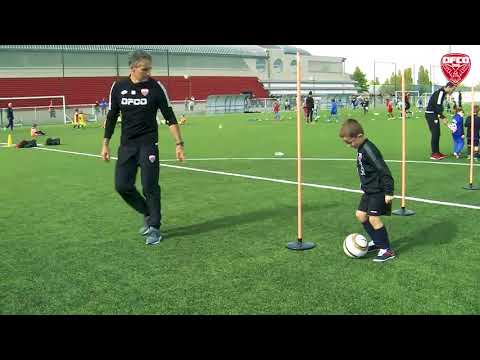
(377, 185)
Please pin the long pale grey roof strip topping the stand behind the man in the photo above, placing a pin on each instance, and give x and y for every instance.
(219, 50)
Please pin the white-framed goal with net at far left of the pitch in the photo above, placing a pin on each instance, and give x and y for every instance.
(30, 112)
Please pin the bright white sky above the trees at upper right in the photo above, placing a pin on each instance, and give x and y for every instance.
(403, 55)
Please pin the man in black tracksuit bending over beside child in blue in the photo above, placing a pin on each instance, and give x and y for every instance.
(434, 114)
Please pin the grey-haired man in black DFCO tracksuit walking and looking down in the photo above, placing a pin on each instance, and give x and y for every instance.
(138, 99)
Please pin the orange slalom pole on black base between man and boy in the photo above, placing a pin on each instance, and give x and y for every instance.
(299, 244)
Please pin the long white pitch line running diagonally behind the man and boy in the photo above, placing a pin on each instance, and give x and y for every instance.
(428, 201)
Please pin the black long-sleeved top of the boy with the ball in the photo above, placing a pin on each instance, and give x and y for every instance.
(375, 176)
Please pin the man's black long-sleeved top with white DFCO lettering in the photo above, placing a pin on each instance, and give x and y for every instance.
(138, 104)
